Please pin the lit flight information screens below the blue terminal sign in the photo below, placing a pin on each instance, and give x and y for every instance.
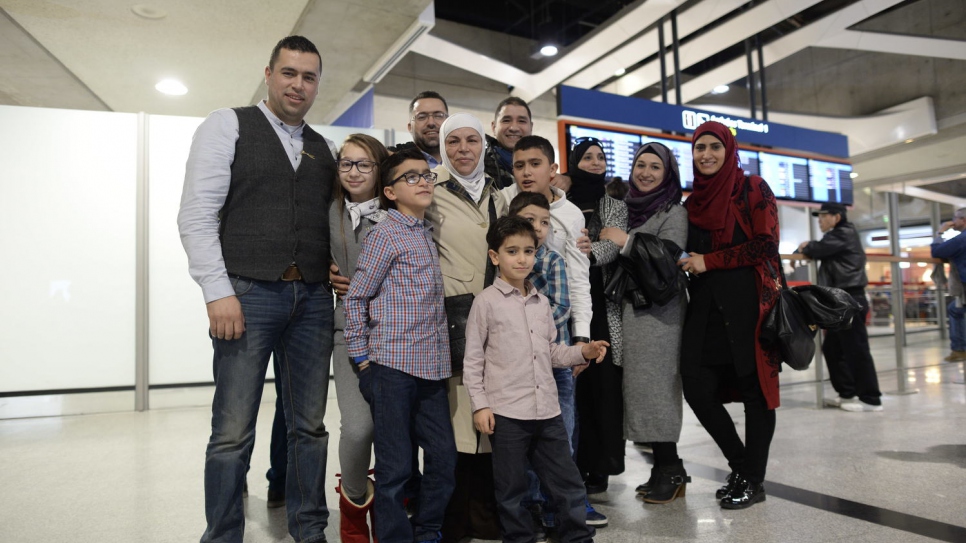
(790, 177)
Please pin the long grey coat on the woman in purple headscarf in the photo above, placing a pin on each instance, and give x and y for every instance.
(652, 348)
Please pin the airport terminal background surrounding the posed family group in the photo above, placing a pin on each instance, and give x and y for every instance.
(105, 363)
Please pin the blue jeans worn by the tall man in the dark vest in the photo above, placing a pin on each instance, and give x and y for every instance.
(294, 319)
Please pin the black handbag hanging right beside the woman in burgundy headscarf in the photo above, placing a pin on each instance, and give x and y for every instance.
(789, 327)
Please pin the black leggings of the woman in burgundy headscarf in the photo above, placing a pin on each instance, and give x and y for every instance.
(702, 390)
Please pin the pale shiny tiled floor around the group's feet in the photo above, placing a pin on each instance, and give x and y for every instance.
(898, 475)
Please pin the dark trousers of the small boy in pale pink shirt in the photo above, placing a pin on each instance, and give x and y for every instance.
(546, 445)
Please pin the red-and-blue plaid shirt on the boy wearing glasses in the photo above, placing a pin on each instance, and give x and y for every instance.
(394, 308)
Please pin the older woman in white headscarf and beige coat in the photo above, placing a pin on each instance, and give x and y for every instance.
(465, 203)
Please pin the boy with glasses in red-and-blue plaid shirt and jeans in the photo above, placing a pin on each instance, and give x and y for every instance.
(396, 332)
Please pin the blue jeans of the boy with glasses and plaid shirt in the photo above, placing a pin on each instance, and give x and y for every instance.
(406, 408)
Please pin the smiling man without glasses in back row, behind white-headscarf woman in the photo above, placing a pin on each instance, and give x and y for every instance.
(511, 122)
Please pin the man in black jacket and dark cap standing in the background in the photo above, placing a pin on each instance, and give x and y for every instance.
(850, 365)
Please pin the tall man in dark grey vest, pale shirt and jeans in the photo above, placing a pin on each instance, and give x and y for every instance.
(254, 223)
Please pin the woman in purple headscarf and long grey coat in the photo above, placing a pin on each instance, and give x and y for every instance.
(652, 336)
